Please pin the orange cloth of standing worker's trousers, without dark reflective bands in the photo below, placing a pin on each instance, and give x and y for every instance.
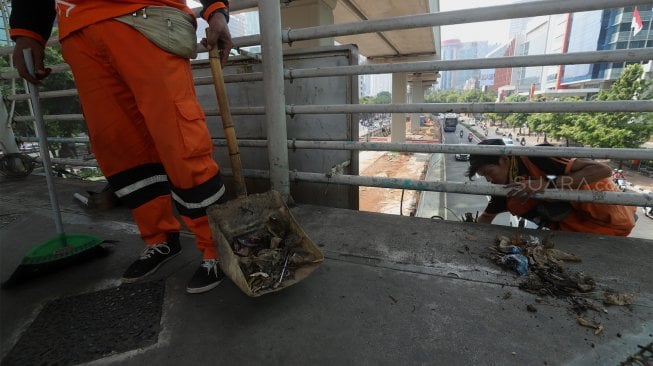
(140, 106)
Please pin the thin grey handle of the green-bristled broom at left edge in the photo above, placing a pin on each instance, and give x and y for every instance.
(43, 142)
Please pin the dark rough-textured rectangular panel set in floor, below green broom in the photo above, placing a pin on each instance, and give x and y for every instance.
(87, 327)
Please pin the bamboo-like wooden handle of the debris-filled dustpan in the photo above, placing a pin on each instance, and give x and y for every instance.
(227, 122)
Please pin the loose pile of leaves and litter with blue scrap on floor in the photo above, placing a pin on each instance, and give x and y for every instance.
(545, 275)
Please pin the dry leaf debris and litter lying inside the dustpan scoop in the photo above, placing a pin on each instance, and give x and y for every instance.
(271, 255)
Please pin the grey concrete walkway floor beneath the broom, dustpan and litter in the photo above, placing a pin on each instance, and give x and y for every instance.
(392, 290)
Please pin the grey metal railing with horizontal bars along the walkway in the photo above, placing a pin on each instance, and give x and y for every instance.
(275, 109)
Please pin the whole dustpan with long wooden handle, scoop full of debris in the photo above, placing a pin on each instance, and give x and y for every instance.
(247, 219)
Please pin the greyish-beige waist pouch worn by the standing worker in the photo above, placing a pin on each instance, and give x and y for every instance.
(169, 28)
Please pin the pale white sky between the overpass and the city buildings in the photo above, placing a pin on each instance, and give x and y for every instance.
(494, 32)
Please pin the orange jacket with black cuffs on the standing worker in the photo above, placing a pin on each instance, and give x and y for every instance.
(34, 18)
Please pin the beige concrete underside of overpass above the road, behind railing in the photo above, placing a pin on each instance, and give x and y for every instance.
(403, 45)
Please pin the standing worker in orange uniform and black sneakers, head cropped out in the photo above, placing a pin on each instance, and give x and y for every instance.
(130, 61)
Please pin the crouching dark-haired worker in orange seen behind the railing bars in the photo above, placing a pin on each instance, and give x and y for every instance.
(529, 175)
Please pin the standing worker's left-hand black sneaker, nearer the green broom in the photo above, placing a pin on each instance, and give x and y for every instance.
(152, 258)
